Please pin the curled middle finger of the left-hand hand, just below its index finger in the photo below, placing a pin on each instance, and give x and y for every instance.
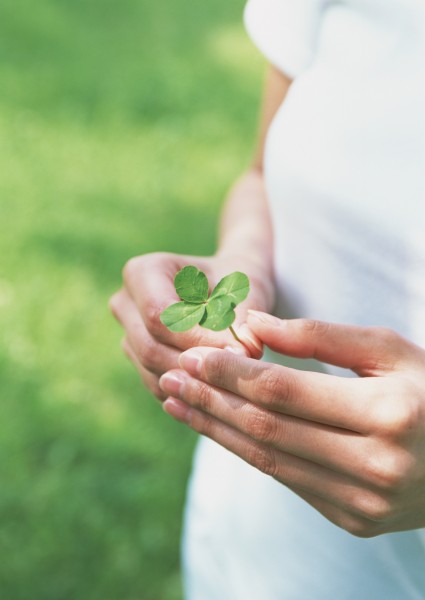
(152, 355)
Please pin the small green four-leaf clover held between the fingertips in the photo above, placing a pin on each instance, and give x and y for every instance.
(215, 312)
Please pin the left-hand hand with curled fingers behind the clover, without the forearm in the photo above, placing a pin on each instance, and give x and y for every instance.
(149, 288)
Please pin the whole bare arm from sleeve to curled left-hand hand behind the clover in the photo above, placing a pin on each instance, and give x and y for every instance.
(244, 244)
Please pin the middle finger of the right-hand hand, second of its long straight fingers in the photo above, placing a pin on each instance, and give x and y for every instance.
(338, 449)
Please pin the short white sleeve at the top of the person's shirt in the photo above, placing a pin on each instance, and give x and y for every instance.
(285, 31)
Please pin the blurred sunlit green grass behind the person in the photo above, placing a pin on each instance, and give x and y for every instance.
(121, 126)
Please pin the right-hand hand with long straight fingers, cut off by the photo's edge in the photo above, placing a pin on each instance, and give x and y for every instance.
(354, 448)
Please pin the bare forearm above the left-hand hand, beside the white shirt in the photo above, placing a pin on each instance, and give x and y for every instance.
(246, 235)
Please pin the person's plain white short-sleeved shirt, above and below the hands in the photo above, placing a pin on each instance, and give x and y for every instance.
(345, 174)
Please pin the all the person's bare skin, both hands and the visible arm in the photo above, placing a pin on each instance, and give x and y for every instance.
(353, 448)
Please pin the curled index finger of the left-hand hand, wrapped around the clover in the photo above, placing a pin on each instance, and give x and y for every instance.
(150, 283)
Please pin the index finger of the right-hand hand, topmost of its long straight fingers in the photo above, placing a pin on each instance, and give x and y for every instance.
(330, 400)
